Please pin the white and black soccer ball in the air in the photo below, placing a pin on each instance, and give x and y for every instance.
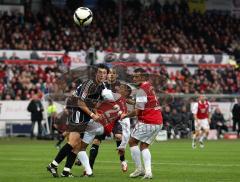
(83, 16)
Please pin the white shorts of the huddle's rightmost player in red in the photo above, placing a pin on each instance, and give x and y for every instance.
(145, 132)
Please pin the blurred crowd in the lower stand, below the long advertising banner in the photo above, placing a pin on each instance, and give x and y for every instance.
(20, 82)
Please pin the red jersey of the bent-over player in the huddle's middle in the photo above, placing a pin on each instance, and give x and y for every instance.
(111, 115)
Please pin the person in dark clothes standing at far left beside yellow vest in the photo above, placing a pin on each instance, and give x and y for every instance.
(35, 107)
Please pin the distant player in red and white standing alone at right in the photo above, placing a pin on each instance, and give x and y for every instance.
(201, 111)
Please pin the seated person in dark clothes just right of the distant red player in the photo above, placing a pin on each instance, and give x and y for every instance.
(218, 122)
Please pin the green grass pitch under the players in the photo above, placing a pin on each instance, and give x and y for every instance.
(24, 160)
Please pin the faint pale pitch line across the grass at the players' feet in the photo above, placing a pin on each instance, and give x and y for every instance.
(154, 163)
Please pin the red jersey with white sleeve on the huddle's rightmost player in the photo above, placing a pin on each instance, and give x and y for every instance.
(147, 103)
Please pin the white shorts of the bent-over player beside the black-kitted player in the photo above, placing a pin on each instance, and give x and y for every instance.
(93, 129)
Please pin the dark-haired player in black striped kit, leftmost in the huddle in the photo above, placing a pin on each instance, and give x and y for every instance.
(81, 117)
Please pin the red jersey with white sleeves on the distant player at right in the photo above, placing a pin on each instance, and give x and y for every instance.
(201, 110)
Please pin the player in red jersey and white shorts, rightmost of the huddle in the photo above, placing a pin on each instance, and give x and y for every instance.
(147, 110)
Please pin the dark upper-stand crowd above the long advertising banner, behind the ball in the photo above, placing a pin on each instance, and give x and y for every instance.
(168, 28)
